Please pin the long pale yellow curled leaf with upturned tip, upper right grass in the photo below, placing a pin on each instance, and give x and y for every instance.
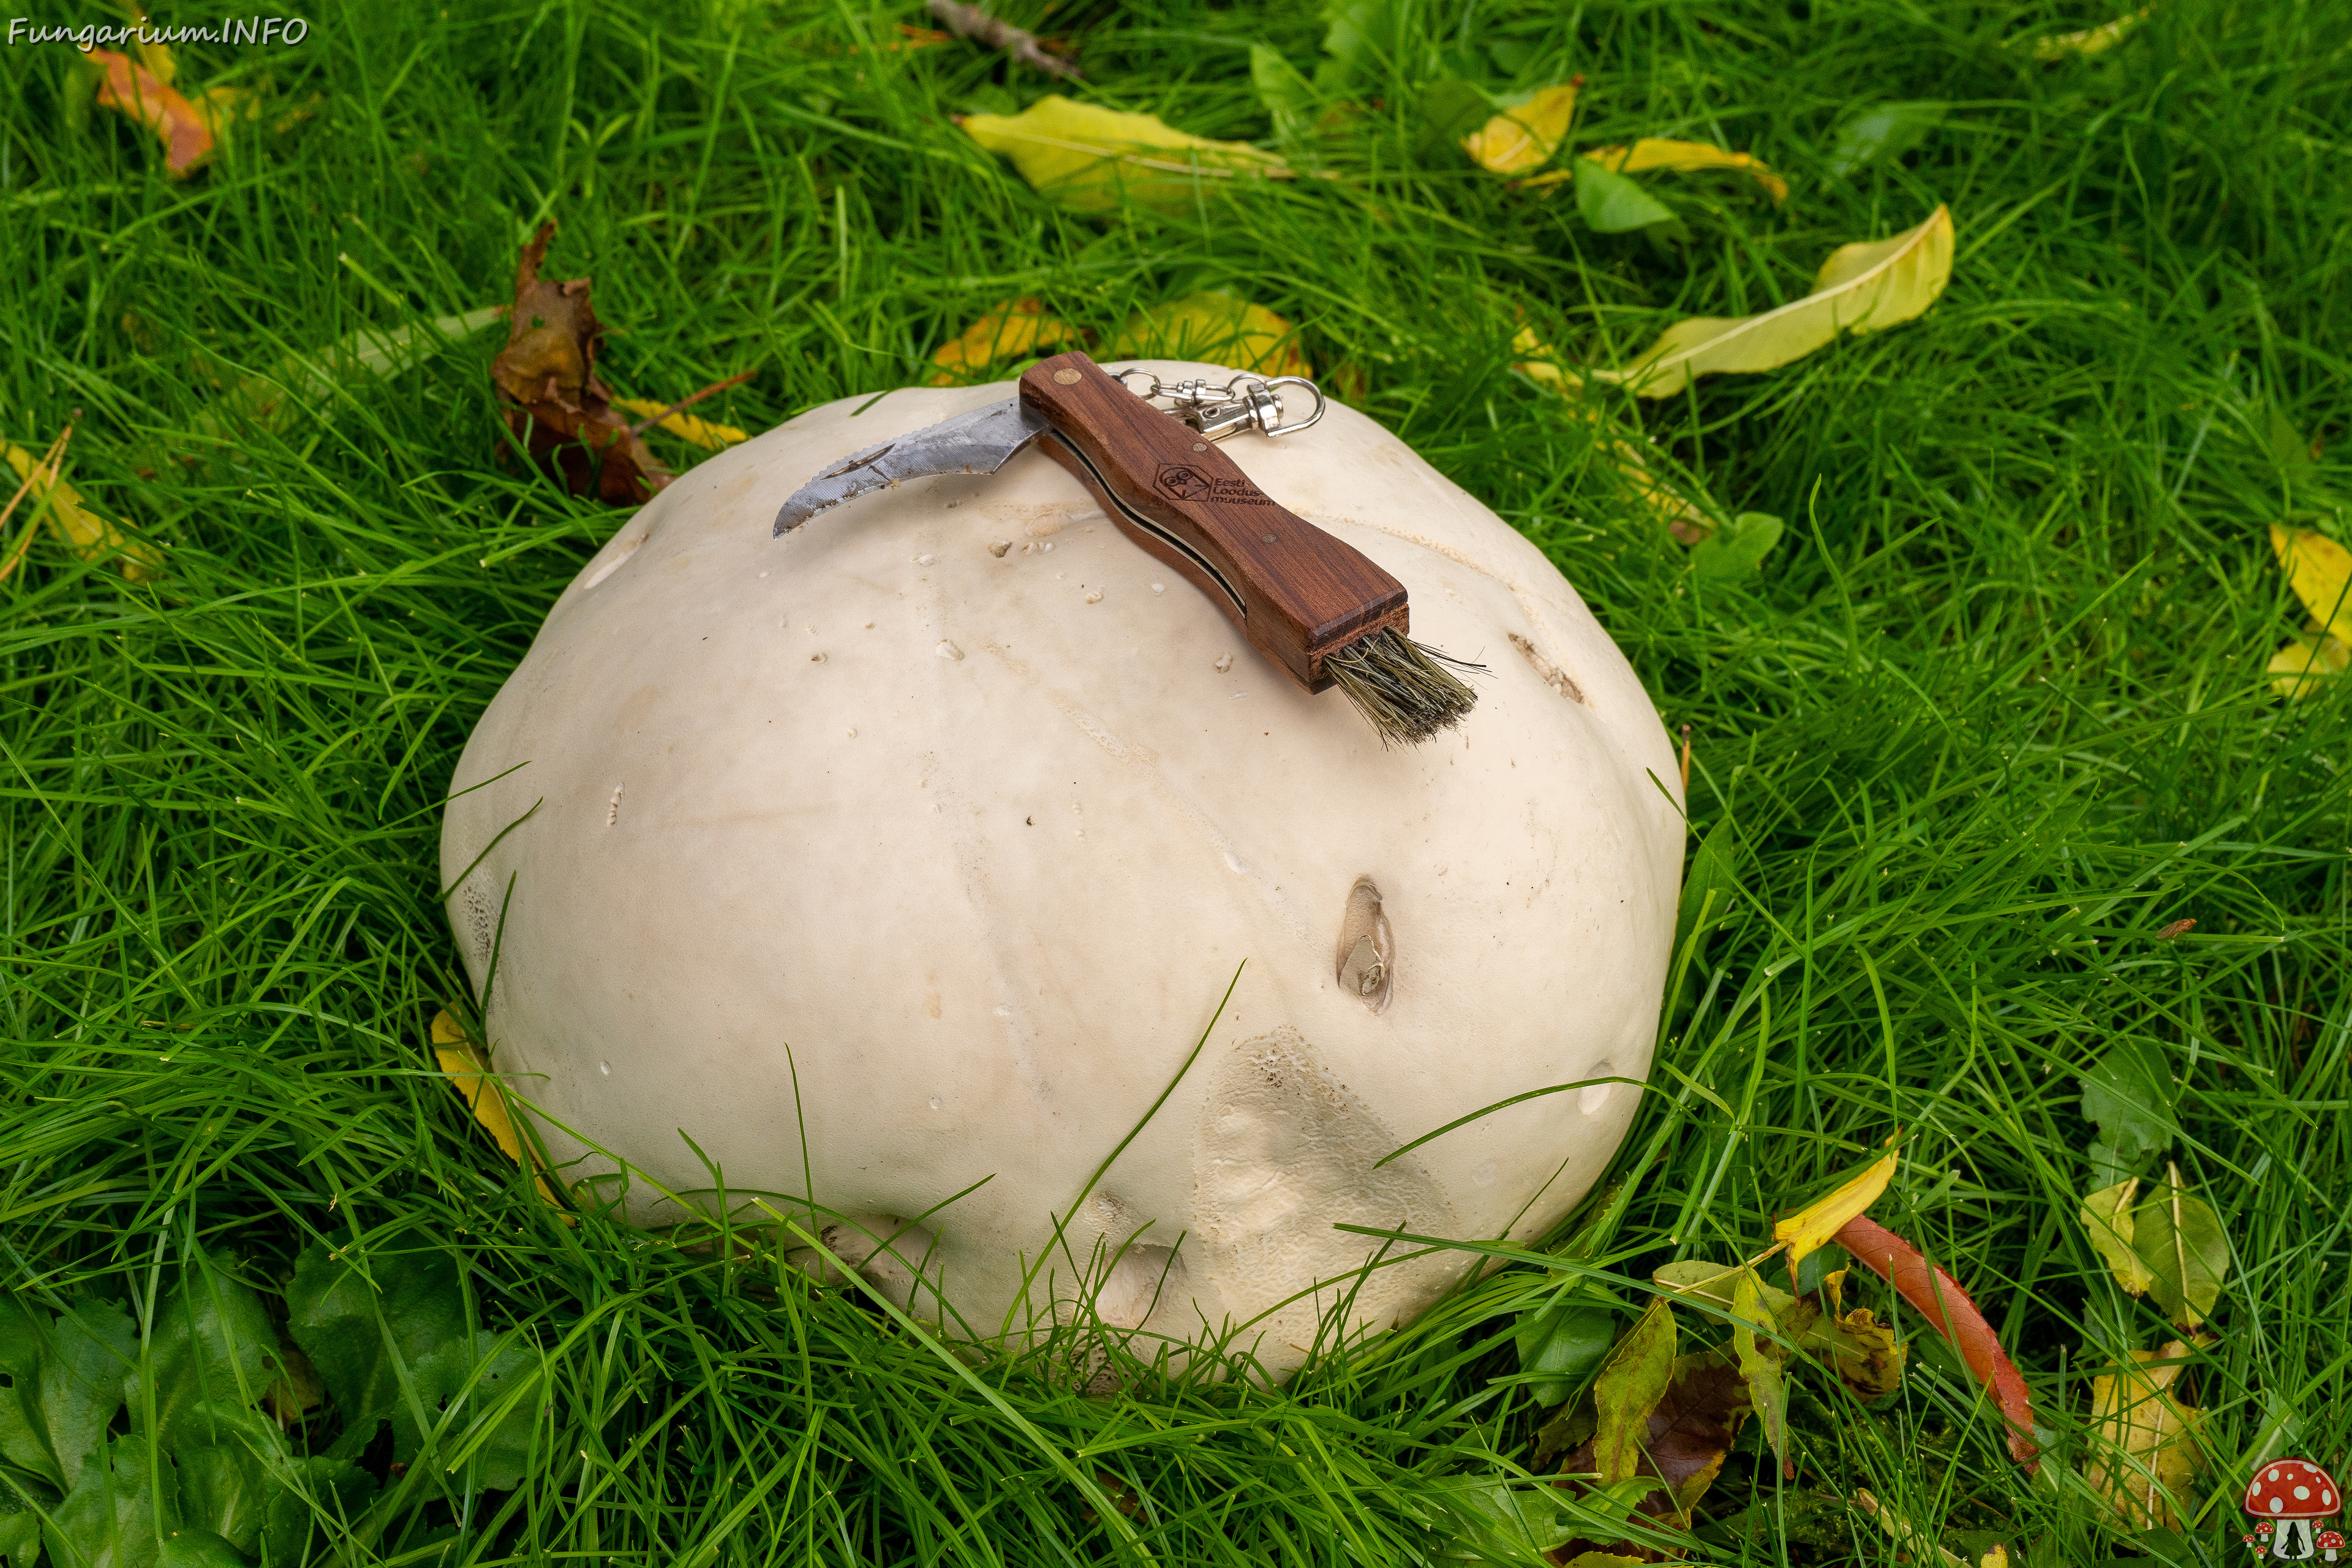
(1862, 288)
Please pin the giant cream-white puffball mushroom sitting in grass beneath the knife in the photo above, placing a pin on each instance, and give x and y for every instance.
(940, 826)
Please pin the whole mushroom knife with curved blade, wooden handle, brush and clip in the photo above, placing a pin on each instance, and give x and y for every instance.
(1311, 603)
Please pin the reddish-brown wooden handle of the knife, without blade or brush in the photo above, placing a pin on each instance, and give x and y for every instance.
(1295, 591)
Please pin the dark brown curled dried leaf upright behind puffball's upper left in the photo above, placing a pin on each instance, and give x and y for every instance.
(556, 403)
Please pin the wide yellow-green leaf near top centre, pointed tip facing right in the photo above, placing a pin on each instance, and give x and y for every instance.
(1095, 159)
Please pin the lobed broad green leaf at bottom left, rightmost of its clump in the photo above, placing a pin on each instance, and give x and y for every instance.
(403, 1351)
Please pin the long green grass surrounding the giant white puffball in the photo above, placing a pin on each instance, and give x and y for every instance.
(1991, 716)
